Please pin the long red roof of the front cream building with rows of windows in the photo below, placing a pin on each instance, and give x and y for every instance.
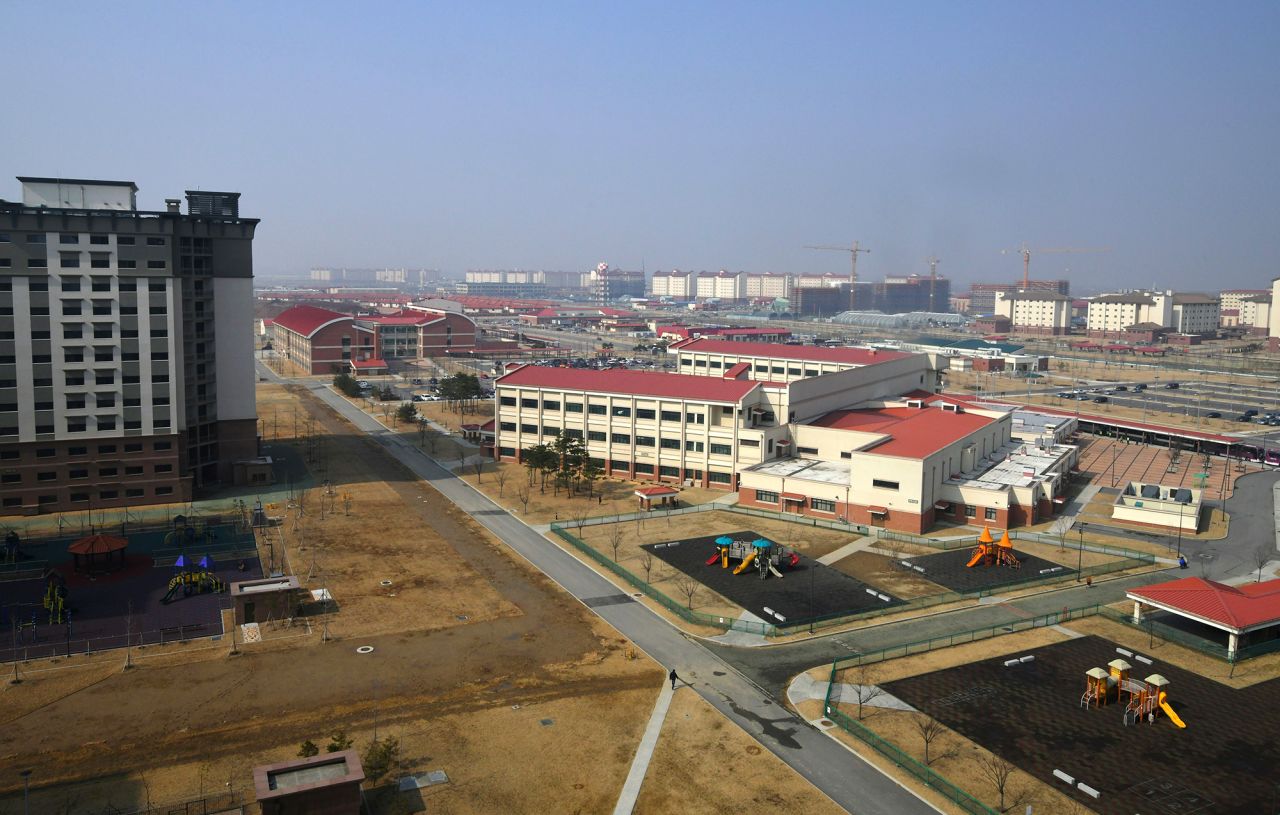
(633, 383)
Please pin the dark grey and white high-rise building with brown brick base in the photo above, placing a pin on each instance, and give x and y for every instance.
(126, 346)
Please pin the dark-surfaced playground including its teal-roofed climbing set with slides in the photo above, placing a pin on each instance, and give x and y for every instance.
(796, 587)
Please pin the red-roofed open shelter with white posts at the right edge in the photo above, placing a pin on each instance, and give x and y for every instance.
(1249, 613)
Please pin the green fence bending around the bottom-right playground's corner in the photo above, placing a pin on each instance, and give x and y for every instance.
(895, 754)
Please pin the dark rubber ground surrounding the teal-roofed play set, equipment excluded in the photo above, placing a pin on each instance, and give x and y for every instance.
(808, 590)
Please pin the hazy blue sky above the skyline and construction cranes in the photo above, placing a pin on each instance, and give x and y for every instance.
(698, 136)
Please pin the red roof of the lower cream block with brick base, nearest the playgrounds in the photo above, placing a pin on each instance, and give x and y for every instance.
(915, 433)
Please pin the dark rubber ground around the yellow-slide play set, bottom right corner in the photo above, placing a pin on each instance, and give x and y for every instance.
(1224, 763)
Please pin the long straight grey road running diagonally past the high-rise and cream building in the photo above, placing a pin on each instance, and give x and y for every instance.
(848, 780)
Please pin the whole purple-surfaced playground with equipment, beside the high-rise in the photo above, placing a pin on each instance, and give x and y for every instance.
(102, 592)
